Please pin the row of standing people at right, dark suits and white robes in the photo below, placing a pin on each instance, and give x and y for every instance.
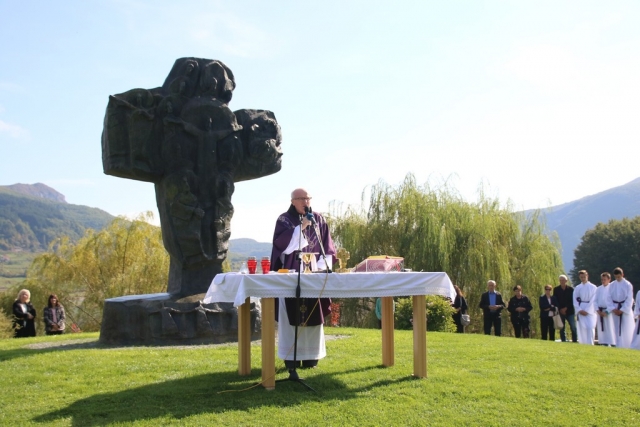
(605, 312)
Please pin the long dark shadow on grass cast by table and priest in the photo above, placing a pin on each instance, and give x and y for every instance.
(207, 393)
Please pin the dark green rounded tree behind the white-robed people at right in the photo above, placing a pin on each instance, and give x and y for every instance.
(607, 246)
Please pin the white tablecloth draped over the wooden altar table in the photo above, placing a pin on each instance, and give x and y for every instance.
(235, 287)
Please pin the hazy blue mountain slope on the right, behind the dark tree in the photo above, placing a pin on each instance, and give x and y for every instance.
(571, 220)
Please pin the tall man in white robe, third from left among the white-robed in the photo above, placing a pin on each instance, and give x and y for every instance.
(620, 303)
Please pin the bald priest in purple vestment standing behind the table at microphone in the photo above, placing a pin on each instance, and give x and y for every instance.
(300, 229)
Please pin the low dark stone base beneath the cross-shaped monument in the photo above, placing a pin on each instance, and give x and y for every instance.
(165, 319)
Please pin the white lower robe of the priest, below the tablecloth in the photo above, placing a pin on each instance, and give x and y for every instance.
(310, 338)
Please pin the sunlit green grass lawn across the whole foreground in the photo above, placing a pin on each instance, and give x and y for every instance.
(472, 380)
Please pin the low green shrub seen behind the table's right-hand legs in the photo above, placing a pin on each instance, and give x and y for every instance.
(439, 312)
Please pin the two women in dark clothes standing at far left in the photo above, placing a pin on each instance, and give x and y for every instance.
(24, 316)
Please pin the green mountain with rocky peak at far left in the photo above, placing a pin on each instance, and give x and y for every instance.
(31, 216)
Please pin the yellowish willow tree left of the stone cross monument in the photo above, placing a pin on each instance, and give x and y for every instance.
(125, 258)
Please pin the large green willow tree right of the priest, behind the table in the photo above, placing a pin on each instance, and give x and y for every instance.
(436, 230)
